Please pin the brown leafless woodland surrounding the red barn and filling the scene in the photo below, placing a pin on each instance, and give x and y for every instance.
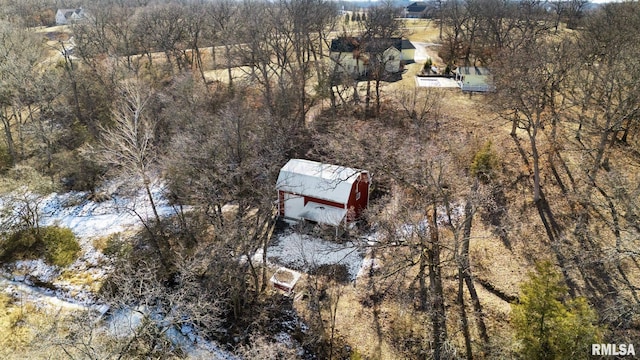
(507, 224)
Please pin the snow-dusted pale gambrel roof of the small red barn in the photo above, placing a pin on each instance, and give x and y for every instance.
(315, 179)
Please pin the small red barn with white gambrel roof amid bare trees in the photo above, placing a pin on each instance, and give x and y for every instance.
(322, 193)
